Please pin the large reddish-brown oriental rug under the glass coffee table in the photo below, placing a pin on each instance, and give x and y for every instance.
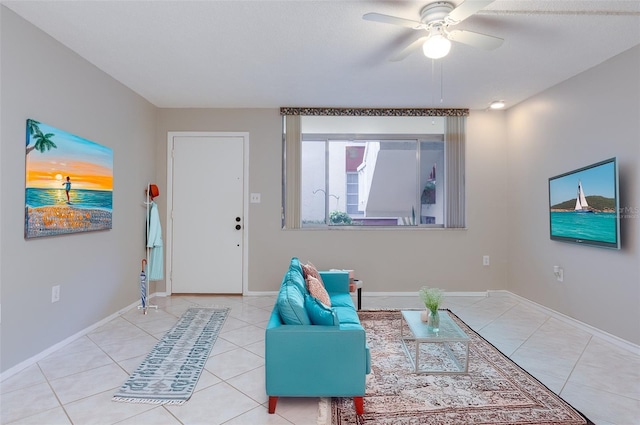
(496, 390)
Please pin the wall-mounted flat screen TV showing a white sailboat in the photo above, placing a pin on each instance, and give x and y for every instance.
(584, 205)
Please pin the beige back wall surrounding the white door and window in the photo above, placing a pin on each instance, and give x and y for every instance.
(390, 260)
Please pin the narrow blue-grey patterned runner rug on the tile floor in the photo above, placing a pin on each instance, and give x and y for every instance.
(169, 374)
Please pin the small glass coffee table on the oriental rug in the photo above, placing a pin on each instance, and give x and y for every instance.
(445, 351)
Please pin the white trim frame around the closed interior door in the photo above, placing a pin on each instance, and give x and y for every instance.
(245, 204)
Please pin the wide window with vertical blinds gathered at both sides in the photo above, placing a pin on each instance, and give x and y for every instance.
(392, 171)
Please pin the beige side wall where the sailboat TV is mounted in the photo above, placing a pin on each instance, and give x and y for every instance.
(589, 118)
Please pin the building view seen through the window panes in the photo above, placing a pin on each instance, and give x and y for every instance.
(390, 181)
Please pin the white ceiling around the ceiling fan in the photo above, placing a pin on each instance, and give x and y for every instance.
(263, 54)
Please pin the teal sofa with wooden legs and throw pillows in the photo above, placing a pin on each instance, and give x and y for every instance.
(312, 350)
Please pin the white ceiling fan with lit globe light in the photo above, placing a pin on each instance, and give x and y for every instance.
(436, 18)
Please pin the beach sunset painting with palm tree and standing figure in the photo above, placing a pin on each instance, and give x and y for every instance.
(68, 183)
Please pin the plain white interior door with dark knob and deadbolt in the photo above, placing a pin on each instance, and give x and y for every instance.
(207, 214)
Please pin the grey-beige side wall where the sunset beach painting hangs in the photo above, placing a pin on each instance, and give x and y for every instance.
(98, 271)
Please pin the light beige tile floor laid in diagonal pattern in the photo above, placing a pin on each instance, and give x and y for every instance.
(75, 384)
